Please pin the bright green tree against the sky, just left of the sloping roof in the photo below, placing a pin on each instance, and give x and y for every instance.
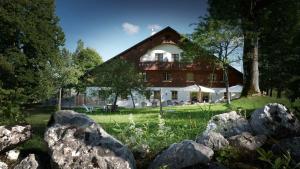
(86, 59)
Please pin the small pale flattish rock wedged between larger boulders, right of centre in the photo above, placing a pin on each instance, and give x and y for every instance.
(213, 140)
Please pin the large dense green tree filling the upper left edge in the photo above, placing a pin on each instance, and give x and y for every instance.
(30, 38)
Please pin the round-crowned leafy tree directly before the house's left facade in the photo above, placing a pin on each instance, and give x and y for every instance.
(119, 78)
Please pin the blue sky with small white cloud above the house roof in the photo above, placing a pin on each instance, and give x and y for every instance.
(112, 26)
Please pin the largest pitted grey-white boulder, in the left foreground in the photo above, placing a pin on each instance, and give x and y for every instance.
(76, 141)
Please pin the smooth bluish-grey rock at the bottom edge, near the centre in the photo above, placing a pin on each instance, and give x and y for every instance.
(184, 154)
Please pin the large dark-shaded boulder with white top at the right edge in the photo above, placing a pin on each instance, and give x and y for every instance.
(274, 120)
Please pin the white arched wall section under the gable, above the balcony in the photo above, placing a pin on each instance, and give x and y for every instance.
(166, 49)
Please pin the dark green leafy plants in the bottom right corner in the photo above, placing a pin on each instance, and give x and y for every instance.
(284, 162)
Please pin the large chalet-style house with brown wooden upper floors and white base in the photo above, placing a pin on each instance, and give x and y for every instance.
(158, 58)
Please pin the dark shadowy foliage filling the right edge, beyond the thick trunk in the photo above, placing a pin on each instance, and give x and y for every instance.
(280, 45)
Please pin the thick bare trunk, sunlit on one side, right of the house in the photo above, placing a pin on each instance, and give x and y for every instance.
(250, 65)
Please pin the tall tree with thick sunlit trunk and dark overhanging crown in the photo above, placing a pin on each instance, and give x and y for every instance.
(244, 13)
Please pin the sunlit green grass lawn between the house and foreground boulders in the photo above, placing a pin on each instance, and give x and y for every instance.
(183, 122)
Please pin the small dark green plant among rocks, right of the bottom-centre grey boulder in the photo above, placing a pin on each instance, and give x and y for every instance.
(227, 155)
